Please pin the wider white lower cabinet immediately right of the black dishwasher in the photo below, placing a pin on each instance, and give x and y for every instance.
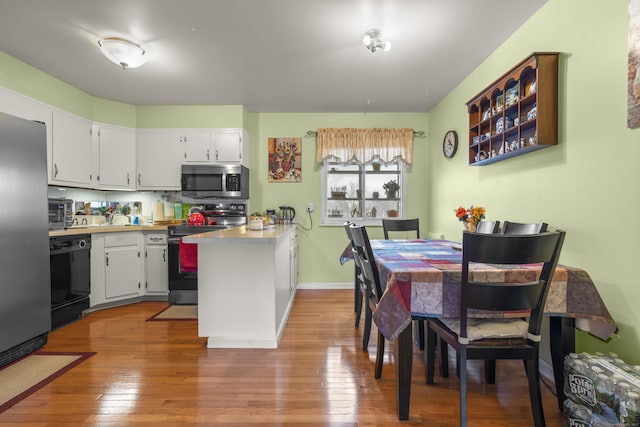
(117, 266)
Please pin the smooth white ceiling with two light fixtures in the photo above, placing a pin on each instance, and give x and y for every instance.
(268, 55)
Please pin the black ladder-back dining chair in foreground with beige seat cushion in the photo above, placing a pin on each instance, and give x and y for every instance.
(491, 339)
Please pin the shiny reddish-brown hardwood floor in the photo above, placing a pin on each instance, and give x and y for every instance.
(147, 373)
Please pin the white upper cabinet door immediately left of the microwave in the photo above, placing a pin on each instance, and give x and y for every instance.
(158, 158)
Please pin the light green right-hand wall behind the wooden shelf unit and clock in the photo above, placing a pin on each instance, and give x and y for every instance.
(588, 185)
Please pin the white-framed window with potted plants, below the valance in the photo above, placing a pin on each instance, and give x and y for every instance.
(356, 191)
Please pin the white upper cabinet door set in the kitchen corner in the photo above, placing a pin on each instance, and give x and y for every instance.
(115, 149)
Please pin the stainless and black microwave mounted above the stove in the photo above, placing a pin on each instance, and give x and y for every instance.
(215, 181)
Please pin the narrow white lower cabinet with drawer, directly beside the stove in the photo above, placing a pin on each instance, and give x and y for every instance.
(156, 280)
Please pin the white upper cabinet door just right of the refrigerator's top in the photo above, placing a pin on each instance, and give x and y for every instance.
(70, 150)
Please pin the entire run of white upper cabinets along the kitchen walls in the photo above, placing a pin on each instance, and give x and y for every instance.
(84, 154)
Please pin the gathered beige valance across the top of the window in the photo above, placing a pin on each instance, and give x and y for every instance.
(364, 145)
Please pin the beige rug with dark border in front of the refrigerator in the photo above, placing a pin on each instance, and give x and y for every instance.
(32, 372)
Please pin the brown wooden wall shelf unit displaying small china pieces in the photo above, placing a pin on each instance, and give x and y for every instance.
(516, 114)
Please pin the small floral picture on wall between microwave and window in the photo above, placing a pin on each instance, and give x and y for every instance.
(285, 159)
